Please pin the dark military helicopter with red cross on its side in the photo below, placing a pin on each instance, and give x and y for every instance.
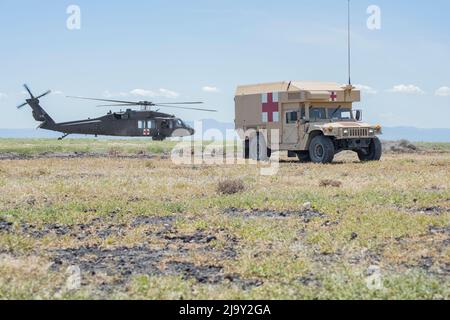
(129, 123)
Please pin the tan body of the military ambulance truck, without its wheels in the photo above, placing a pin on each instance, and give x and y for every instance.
(300, 110)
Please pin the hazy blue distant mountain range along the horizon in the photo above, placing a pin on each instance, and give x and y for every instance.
(390, 133)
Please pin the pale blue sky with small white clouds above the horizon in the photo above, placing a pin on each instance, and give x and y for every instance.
(202, 49)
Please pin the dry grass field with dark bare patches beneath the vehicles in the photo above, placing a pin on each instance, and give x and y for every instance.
(138, 226)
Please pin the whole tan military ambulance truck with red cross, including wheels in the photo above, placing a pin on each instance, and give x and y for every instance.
(315, 121)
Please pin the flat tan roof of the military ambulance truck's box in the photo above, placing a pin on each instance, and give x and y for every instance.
(290, 86)
